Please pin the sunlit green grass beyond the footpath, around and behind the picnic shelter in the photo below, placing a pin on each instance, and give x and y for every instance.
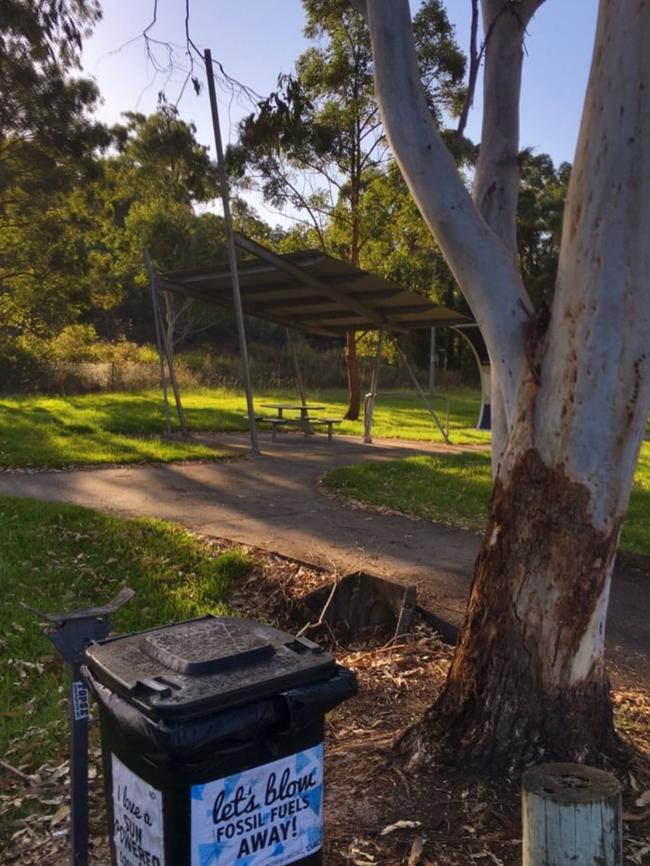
(126, 427)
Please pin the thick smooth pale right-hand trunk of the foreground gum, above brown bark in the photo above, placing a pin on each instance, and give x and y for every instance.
(592, 408)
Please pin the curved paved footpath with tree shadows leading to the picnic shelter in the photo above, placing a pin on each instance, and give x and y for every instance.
(273, 502)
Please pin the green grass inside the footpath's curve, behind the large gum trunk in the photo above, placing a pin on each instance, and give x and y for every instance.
(454, 489)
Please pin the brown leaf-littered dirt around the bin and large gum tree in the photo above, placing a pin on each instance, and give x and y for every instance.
(376, 812)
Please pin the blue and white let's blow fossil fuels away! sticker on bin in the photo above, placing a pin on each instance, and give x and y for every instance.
(270, 815)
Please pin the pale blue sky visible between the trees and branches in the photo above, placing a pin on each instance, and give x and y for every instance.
(256, 40)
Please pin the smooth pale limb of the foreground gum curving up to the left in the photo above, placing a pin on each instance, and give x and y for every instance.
(483, 266)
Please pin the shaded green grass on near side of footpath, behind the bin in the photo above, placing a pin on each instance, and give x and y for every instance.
(62, 556)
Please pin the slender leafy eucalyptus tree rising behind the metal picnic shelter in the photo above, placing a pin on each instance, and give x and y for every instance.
(317, 144)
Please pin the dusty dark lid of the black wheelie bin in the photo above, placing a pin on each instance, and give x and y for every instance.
(189, 669)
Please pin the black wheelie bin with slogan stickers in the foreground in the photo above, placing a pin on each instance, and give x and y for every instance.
(212, 742)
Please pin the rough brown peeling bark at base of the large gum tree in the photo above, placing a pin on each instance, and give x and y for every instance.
(528, 680)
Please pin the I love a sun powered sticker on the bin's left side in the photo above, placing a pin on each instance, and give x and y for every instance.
(137, 819)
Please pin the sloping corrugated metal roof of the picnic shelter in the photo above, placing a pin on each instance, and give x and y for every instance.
(312, 292)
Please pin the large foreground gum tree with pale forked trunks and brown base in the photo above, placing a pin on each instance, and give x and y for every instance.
(571, 384)
